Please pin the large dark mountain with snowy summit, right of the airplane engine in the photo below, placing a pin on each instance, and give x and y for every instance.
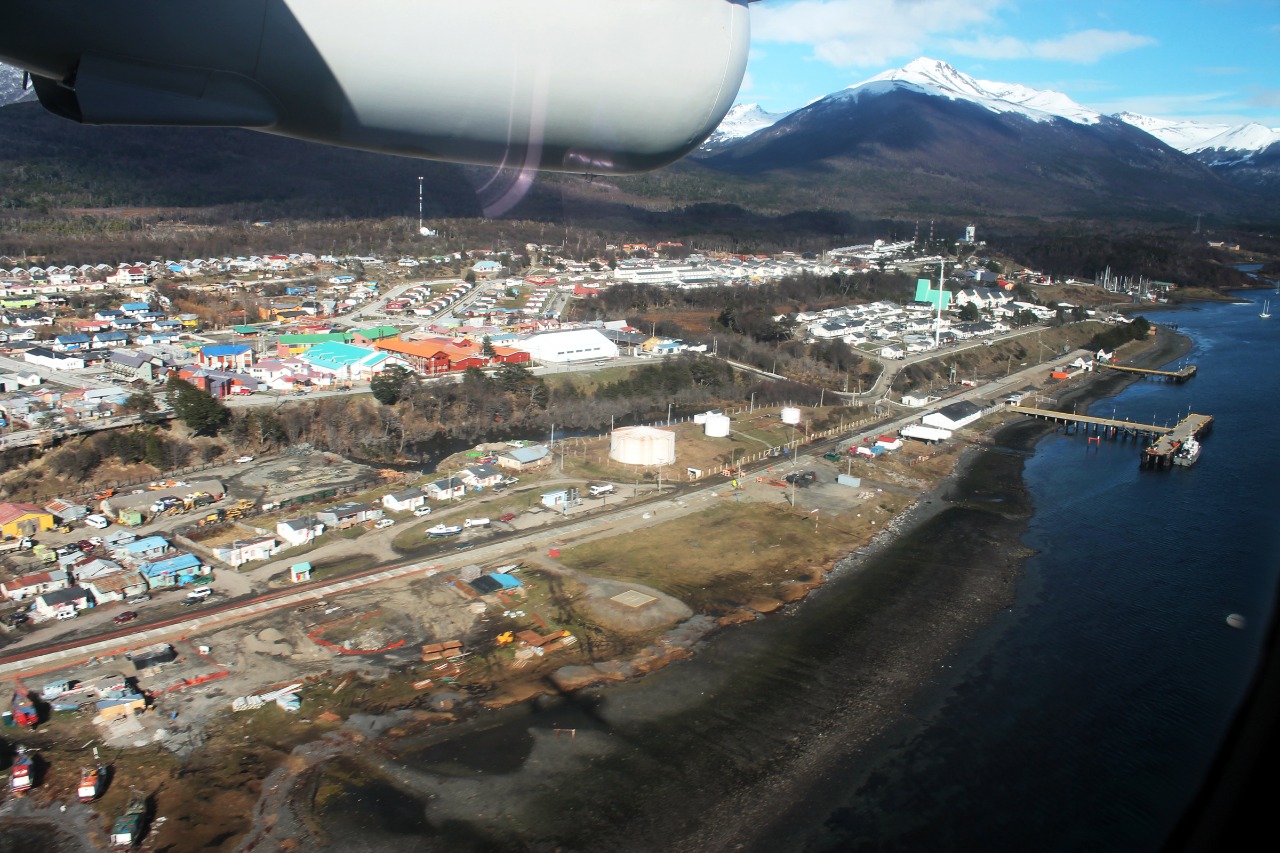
(930, 136)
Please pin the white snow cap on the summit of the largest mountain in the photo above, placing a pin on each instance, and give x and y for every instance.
(936, 77)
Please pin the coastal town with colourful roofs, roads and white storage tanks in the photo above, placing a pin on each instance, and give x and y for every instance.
(143, 614)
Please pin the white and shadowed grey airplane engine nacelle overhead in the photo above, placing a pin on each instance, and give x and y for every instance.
(597, 86)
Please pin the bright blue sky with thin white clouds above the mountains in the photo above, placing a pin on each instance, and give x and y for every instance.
(1204, 61)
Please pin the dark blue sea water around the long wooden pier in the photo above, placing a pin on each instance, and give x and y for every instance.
(1087, 718)
